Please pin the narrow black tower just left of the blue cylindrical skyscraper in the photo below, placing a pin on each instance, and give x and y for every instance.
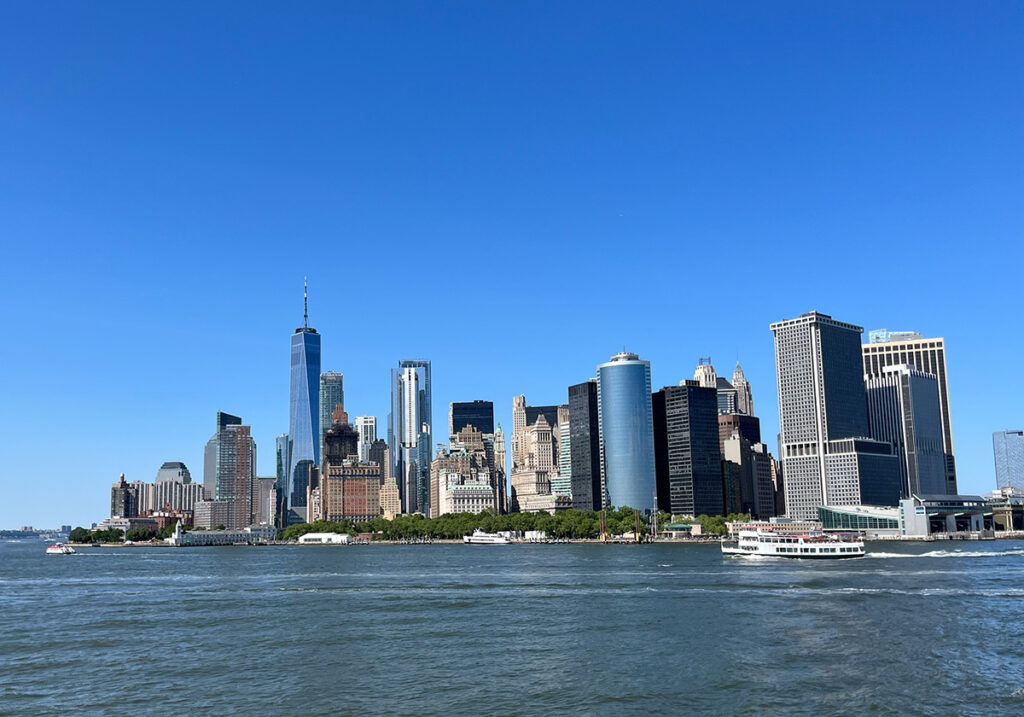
(585, 447)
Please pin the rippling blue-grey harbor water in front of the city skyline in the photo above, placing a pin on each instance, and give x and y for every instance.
(546, 629)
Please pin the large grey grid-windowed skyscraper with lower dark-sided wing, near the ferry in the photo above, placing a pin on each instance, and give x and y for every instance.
(827, 458)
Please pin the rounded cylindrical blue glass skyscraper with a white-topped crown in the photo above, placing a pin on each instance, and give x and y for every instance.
(626, 426)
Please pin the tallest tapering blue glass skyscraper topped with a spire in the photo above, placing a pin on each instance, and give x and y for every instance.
(304, 417)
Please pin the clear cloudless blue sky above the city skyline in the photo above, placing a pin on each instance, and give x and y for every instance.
(516, 191)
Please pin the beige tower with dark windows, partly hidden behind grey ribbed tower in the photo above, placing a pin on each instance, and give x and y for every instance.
(926, 355)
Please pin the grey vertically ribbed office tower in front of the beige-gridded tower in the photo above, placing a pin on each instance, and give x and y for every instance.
(904, 409)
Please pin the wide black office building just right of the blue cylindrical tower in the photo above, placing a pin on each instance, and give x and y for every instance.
(688, 454)
